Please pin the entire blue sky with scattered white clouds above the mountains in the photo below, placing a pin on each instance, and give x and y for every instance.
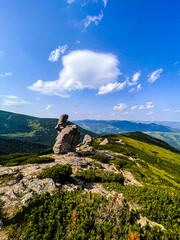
(91, 59)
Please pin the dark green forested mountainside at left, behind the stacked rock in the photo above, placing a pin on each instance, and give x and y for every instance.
(29, 129)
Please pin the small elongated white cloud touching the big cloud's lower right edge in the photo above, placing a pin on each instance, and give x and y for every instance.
(110, 87)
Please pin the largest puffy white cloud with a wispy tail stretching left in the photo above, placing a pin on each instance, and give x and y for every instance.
(81, 69)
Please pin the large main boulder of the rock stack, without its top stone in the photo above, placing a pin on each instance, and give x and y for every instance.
(67, 140)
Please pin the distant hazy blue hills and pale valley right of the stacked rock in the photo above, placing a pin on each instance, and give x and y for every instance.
(166, 133)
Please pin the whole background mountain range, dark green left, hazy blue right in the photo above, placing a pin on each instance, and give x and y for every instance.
(23, 133)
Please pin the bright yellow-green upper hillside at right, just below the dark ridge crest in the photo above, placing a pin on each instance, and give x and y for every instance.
(157, 165)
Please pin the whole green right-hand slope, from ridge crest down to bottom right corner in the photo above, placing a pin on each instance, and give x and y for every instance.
(158, 170)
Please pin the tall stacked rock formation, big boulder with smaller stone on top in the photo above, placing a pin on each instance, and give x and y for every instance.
(68, 136)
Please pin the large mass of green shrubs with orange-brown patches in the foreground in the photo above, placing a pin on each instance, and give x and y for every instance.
(76, 215)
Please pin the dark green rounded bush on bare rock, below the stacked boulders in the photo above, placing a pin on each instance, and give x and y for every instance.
(59, 173)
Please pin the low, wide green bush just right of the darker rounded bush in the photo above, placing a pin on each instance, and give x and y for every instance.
(92, 175)
